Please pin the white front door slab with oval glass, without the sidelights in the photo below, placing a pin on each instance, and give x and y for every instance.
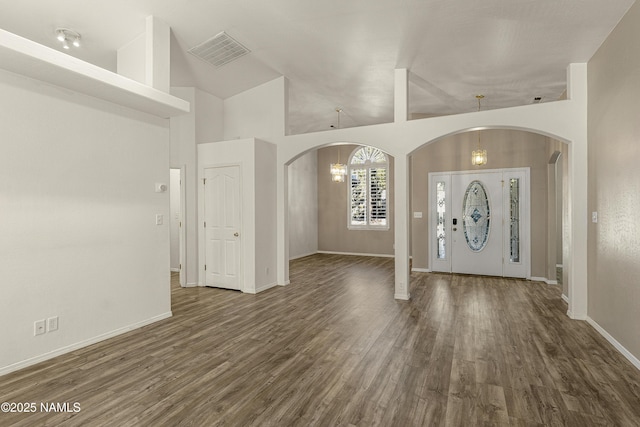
(477, 224)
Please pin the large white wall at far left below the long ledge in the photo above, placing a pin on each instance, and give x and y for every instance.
(77, 219)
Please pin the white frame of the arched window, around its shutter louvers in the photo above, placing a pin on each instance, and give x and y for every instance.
(367, 165)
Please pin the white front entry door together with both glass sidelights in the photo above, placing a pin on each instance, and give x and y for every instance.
(479, 222)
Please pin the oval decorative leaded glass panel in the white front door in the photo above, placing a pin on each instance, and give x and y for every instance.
(476, 216)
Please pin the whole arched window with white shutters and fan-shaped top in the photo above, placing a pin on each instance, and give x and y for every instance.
(368, 184)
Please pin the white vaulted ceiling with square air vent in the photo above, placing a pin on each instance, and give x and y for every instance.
(342, 53)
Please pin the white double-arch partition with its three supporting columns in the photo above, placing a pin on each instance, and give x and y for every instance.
(562, 120)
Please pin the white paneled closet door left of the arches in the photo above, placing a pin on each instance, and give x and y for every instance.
(222, 227)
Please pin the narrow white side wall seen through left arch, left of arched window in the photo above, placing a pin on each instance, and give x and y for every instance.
(303, 205)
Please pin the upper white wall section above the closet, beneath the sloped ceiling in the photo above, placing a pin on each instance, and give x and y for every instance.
(258, 112)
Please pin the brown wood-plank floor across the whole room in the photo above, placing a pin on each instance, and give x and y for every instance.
(335, 348)
